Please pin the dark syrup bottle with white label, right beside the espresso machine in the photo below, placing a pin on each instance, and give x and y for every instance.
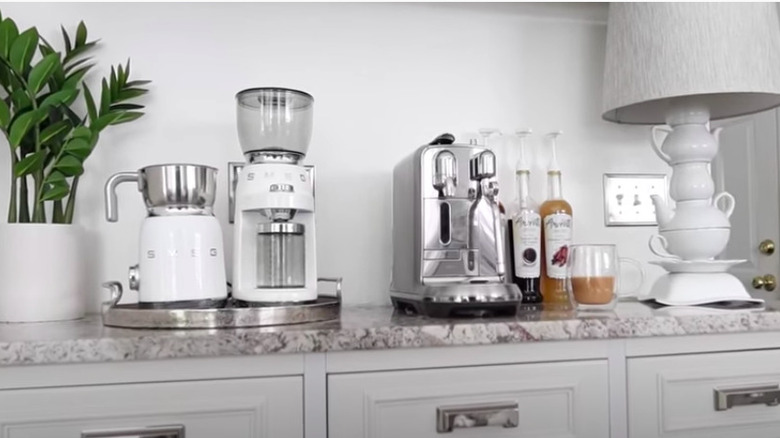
(526, 232)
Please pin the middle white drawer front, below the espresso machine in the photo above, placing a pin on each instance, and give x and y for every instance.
(553, 400)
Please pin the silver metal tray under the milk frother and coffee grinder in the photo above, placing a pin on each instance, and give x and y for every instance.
(231, 315)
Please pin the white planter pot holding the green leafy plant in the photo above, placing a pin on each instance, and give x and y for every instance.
(42, 272)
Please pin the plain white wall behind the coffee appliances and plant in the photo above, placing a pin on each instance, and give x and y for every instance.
(386, 79)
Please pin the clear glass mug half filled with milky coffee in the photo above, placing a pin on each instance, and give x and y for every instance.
(594, 276)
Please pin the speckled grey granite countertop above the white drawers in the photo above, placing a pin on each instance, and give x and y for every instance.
(362, 328)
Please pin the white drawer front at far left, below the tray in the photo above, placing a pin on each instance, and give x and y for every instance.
(270, 407)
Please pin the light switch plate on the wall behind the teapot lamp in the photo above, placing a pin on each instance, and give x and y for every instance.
(627, 199)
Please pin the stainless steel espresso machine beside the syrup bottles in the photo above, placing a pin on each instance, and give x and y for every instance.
(449, 256)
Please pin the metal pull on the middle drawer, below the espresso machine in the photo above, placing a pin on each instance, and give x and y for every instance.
(506, 414)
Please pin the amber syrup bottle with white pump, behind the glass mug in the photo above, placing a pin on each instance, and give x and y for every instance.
(557, 224)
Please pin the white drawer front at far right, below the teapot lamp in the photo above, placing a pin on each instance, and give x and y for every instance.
(678, 395)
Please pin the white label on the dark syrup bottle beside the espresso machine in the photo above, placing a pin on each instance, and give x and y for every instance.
(527, 234)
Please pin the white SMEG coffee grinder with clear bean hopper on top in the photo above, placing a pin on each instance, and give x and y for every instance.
(274, 254)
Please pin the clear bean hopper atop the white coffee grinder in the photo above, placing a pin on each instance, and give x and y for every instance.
(274, 119)
